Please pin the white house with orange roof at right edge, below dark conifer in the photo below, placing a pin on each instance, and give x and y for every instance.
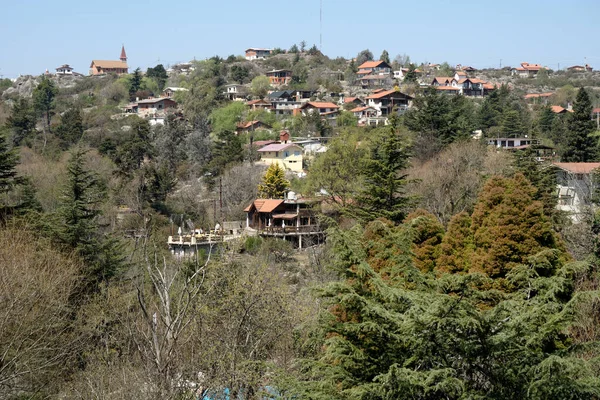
(576, 186)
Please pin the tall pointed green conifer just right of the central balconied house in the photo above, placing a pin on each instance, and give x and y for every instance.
(384, 183)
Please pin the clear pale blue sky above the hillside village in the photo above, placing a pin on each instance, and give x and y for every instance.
(40, 34)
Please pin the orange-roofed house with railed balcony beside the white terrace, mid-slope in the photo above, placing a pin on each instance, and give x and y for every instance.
(288, 218)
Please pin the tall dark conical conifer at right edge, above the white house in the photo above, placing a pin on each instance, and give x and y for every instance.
(580, 145)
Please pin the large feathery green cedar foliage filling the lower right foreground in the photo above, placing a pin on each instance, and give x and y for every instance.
(390, 331)
